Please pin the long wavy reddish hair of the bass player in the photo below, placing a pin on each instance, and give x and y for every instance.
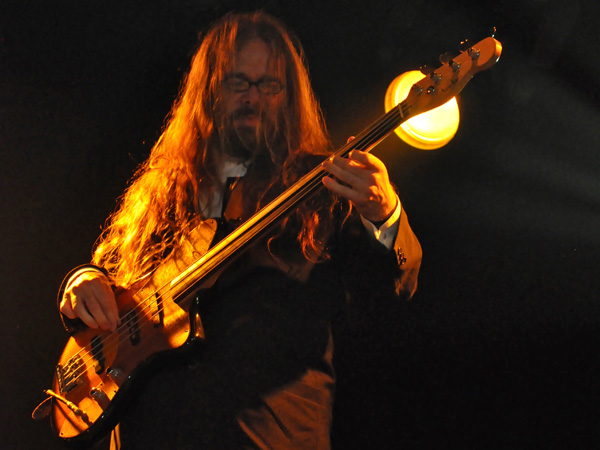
(163, 197)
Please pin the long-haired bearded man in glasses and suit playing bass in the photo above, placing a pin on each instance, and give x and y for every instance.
(244, 128)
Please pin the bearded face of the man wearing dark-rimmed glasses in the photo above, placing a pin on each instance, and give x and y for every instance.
(252, 95)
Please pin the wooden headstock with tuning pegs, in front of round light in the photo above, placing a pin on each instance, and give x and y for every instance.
(445, 82)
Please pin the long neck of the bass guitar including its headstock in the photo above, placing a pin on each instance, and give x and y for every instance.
(446, 82)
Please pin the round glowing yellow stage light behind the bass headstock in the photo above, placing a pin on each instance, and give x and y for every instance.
(430, 130)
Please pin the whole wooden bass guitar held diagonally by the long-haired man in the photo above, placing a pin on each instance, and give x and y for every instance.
(97, 368)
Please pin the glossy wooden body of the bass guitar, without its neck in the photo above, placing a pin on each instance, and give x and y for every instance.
(97, 367)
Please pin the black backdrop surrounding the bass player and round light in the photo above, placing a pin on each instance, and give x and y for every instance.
(499, 347)
